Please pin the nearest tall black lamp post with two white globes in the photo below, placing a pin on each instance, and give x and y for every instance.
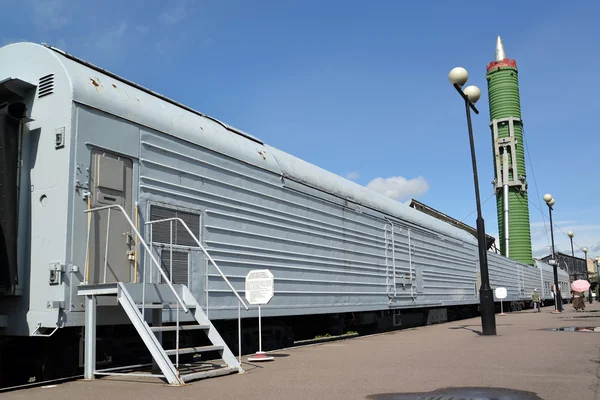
(458, 77)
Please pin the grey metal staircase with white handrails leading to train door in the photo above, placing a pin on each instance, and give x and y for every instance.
(136, 298)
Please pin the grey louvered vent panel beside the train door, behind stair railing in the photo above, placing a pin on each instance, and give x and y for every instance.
(161, 232)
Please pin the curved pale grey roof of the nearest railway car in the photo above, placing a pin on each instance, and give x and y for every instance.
(97, 88)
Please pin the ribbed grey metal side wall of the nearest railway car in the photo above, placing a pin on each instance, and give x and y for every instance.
(323, 253)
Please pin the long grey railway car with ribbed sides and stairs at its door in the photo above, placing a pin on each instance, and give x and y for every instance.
(85, 140)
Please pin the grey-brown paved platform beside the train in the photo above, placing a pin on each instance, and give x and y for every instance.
(524, 356)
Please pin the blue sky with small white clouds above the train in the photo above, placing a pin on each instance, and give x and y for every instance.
(361, 89)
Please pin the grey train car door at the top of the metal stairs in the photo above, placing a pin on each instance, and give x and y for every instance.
(111, 182)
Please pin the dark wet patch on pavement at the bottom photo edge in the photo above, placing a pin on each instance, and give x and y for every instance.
(461, 394)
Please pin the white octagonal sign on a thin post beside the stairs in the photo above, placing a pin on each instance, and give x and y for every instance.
(259, 290)
